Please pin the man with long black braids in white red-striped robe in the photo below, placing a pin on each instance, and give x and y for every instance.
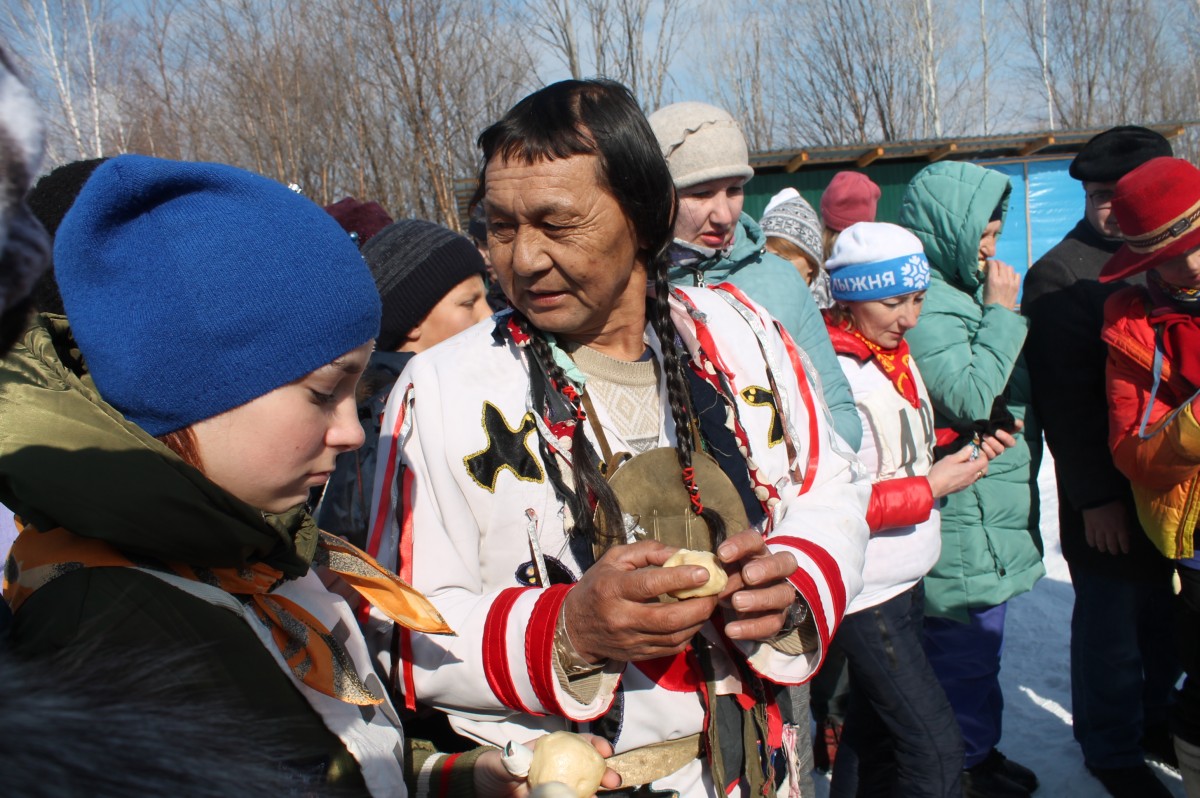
(548, 464)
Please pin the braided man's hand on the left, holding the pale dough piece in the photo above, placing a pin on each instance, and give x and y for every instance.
(615, 611)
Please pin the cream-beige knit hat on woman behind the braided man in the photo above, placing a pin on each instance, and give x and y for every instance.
(700, 143)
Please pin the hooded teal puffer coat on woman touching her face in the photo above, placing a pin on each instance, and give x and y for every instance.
(969, 355)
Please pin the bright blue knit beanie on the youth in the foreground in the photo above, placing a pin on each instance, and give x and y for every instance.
(194, 289)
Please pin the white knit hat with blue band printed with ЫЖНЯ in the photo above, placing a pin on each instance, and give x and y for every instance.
(875, 261)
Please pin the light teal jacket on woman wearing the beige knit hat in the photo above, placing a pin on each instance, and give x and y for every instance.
(776, 285)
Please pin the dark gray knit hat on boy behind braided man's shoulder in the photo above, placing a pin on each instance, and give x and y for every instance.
(416, 265)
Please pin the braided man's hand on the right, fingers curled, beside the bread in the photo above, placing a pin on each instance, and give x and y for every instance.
(759, 590)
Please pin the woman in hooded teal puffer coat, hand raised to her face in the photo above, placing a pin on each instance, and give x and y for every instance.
(969, 350)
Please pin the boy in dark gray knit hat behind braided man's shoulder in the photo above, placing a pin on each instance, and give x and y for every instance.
(431, 283)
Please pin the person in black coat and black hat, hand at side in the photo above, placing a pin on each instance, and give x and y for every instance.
(1123, 665)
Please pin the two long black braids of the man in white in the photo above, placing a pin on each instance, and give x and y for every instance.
(586, 472)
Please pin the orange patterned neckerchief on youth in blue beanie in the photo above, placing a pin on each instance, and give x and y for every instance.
(313, 653)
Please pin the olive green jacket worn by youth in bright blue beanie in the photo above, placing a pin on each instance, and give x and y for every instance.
(68, 459)
